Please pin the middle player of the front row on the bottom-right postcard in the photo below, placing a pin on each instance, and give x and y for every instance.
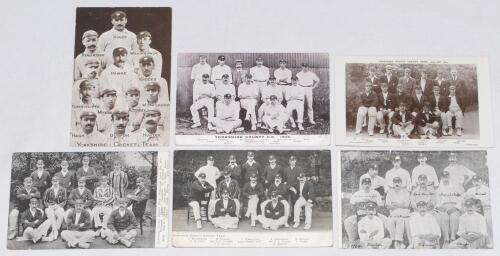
(425, 230)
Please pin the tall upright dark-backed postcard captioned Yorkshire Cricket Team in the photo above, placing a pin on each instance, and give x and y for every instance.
(121, 77)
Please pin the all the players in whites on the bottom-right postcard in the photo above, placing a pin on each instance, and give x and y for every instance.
(430, 213)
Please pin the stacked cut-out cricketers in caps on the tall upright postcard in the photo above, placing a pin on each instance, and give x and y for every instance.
(119, 96)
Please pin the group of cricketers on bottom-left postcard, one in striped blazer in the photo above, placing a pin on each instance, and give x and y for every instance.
(87, 204)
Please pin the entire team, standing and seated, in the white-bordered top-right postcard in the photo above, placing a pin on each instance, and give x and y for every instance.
(405, 107)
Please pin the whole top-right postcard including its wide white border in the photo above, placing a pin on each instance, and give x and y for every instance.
(416, 101)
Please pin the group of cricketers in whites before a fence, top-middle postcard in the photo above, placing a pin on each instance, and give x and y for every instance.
(268, 99)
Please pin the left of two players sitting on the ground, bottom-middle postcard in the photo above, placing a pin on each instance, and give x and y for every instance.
(225, 212)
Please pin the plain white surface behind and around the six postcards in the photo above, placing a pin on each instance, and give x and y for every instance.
(36, 64)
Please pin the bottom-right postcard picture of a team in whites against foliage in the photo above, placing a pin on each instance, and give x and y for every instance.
(415, 200)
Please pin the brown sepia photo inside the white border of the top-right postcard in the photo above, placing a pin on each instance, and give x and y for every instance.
(412, 101)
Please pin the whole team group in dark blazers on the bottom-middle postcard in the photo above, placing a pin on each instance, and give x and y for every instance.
(270, 194)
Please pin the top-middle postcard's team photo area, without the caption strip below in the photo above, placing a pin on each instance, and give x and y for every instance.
(252, 93)
